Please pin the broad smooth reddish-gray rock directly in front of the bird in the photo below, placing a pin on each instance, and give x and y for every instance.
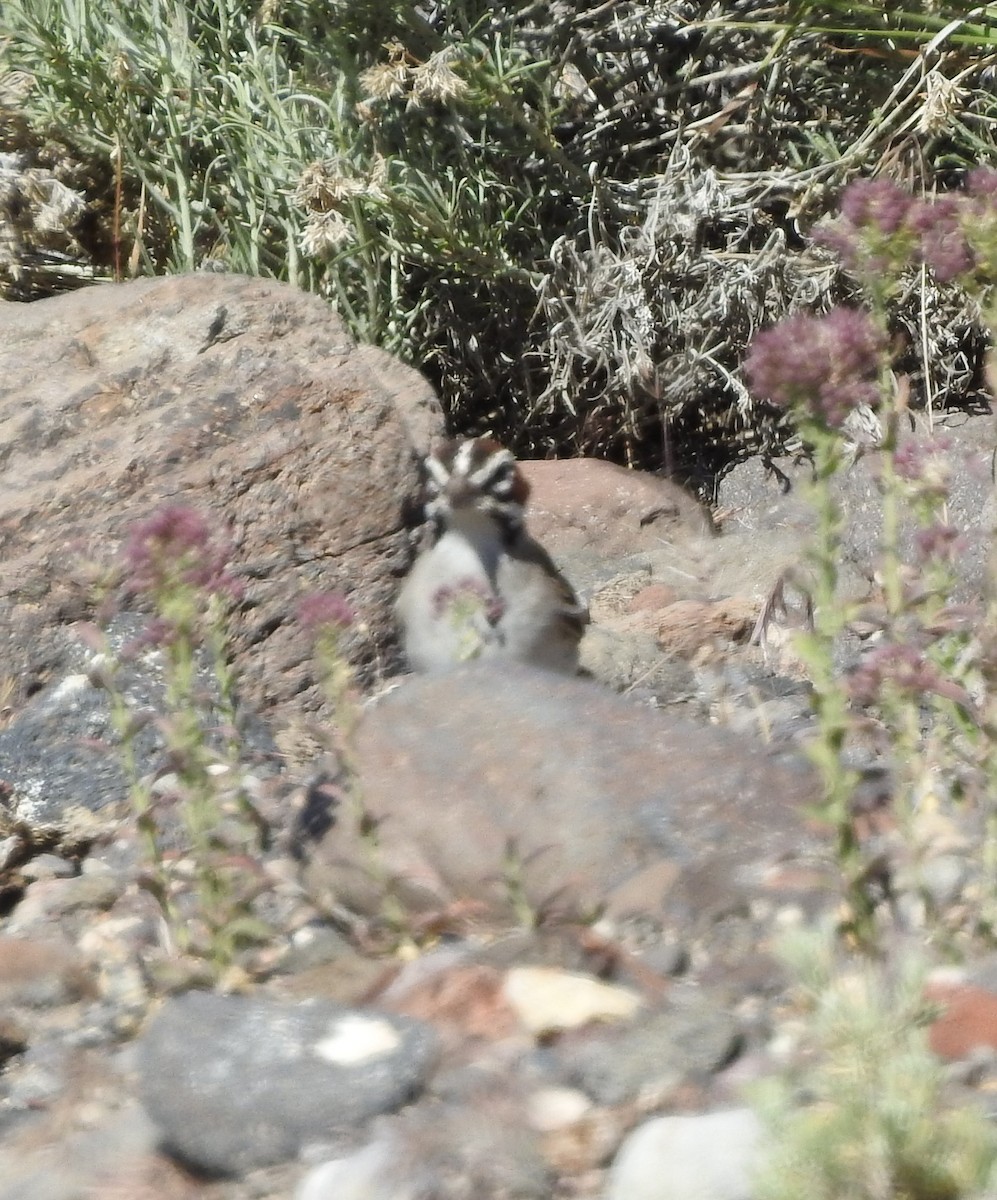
(502, 788)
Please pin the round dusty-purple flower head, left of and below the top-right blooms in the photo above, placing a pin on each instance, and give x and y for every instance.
(826, 365)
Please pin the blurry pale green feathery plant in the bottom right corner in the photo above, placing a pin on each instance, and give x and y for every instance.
(863, 1114)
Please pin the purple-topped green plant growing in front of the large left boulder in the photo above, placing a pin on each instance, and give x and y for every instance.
(201, 832)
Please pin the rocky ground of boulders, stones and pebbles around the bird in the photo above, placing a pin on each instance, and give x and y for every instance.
(588, 877)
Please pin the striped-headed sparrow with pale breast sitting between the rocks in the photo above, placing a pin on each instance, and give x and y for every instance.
(485, 589)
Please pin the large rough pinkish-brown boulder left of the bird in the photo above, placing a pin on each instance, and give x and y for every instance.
(243, 398)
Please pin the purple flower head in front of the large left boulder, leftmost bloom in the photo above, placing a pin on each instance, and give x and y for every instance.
(175, 547)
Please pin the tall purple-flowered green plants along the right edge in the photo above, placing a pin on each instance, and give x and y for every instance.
(927, 682)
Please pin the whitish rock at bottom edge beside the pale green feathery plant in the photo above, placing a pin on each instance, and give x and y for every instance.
(706, 1157)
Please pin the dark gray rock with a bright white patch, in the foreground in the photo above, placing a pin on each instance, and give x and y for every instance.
(235, 1083)
